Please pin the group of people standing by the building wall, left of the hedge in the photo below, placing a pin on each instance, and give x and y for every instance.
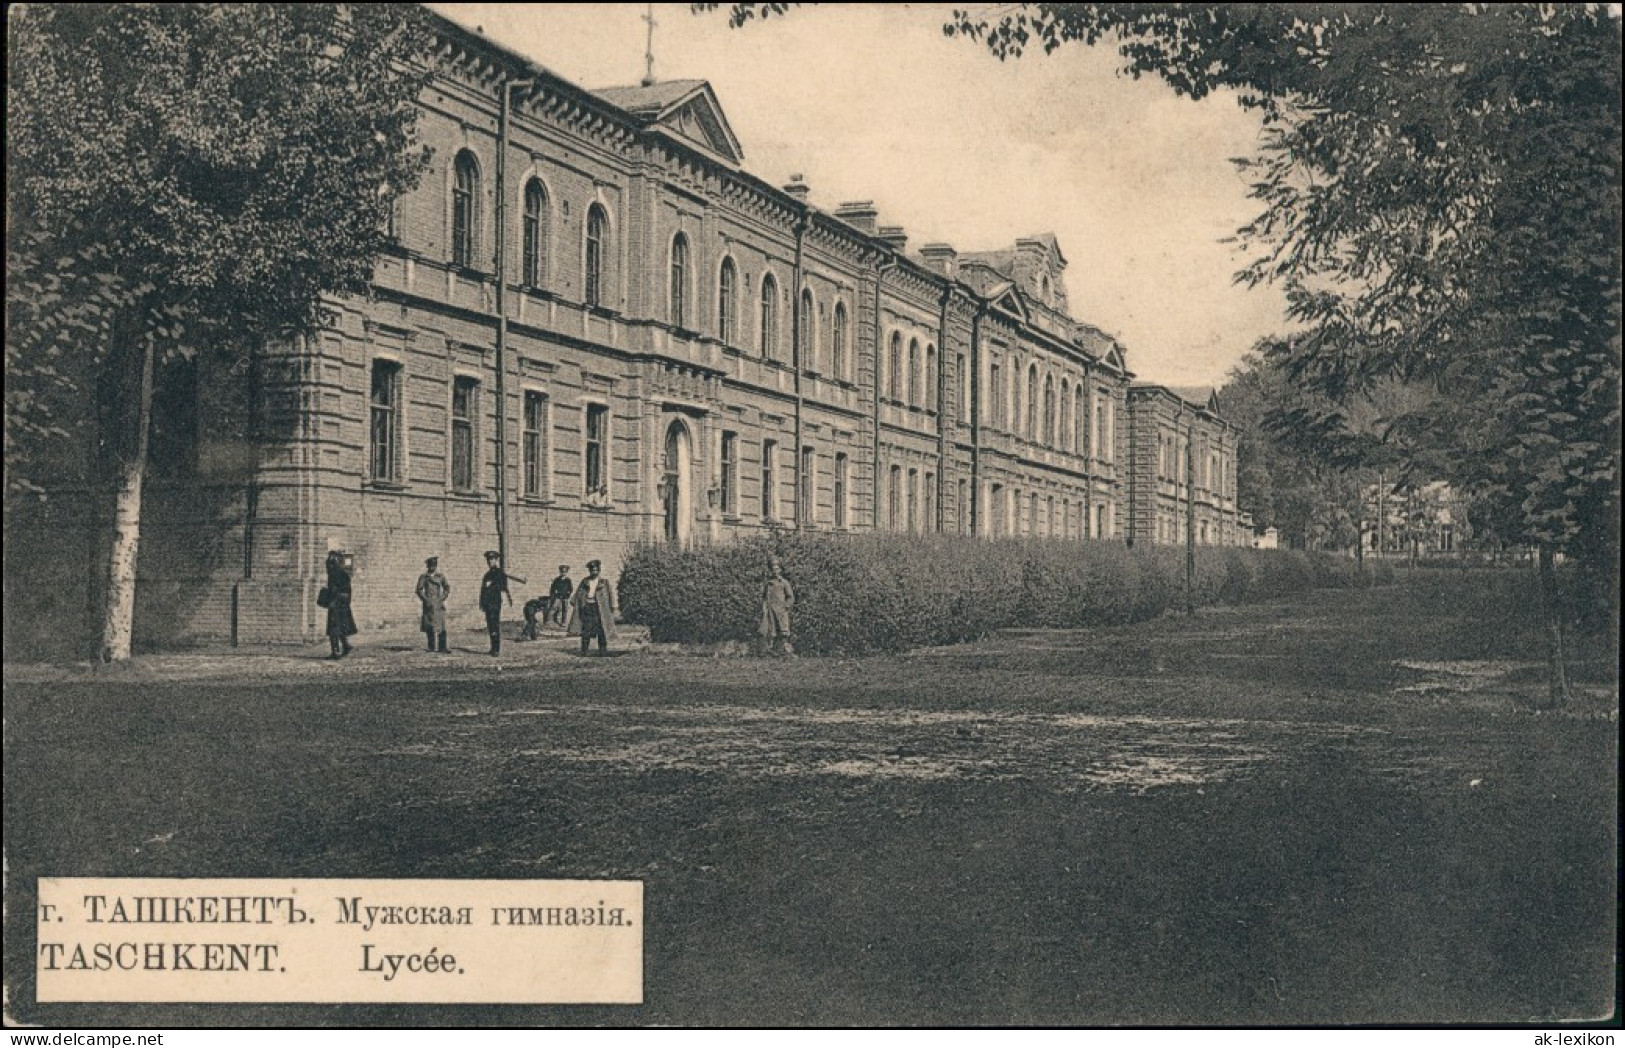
(589, 607)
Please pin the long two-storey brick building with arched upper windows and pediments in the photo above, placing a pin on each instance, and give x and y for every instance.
(675, 352)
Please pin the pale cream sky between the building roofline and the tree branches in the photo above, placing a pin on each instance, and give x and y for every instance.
(873, 103)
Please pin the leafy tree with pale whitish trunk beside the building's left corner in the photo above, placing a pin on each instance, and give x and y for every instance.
(188, 180)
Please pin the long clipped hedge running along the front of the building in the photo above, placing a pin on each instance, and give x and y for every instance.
(882, 592)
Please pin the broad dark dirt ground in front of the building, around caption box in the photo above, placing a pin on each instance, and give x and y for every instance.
(1332, 810)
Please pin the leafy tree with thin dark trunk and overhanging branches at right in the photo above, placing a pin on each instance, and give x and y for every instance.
(1441, 194)
